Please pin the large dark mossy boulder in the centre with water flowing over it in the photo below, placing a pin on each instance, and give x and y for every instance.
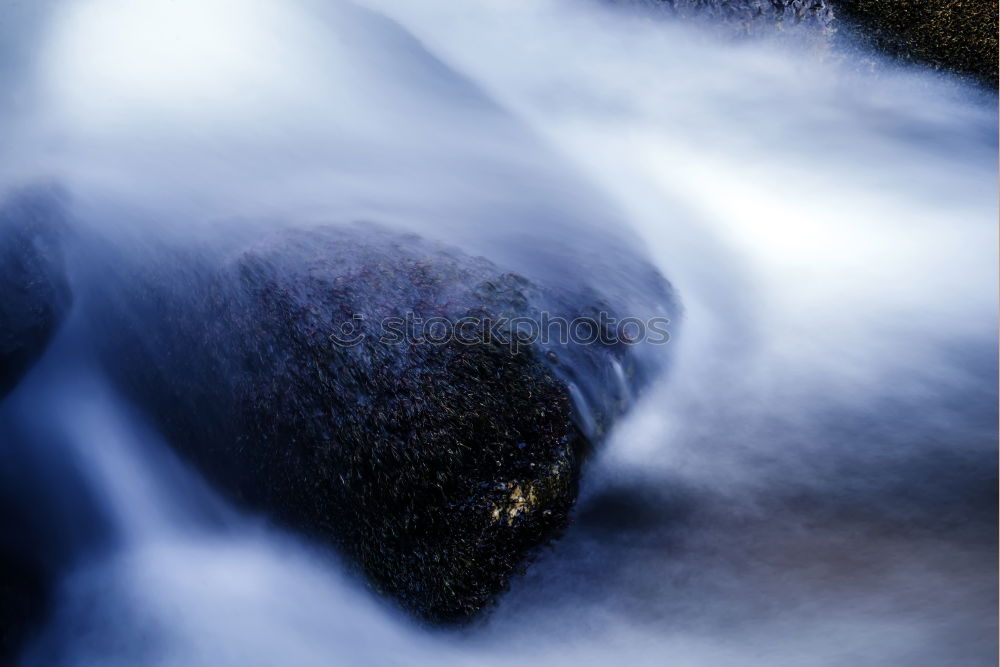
(437, 469)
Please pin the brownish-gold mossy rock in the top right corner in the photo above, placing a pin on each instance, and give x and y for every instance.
(957, 35)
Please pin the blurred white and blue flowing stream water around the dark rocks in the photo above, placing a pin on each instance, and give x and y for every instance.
(814, 482)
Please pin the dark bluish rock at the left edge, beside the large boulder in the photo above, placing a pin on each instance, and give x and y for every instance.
(34, 292)
